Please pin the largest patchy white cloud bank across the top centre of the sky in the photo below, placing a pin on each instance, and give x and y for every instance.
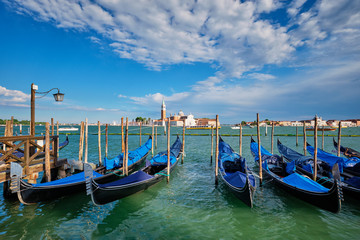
(228, 34)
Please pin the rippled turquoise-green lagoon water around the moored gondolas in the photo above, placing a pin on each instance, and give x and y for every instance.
(189, 207)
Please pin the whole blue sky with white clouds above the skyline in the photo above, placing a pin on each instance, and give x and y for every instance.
(287, 60)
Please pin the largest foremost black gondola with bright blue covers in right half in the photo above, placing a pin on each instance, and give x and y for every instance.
(284, 176)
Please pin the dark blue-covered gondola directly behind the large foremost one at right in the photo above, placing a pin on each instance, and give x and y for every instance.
(305, 164)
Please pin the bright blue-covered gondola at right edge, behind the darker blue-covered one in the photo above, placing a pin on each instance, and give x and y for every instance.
(346, 165)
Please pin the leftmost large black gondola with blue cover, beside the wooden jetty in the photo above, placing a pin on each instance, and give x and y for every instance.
(31, 193)
